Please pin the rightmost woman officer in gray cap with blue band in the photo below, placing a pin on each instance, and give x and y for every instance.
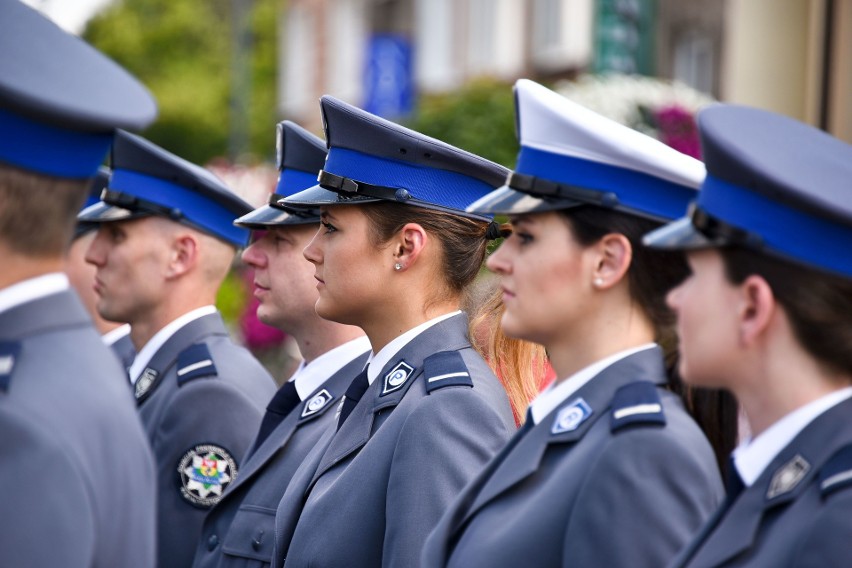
(767, 313)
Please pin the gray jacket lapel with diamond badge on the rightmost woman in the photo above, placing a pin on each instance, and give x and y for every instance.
(790, 474)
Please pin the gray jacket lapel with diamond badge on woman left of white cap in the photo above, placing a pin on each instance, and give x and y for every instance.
(449, 334)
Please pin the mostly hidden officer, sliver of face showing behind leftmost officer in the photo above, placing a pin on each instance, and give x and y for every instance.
(81, 274)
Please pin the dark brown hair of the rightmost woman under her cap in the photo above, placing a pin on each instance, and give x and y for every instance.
(818, 304)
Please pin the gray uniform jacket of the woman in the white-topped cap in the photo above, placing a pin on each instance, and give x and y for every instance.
(618, 475)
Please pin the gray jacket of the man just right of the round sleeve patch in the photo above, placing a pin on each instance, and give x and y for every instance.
(239, 530)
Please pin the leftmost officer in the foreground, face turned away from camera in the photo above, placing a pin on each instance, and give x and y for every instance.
(75, 467)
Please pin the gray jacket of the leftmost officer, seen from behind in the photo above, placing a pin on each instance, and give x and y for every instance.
(75, 467)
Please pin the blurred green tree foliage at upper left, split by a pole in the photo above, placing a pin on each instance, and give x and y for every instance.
(182, 51)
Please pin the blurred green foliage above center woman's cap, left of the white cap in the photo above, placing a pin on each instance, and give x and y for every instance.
(479, 118)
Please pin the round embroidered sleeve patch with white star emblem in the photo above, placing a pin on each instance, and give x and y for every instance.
(205, 472)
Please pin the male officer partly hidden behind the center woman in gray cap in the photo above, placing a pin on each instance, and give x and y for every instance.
(240, 527)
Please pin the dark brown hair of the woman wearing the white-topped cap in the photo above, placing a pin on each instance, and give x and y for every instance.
(651, 275)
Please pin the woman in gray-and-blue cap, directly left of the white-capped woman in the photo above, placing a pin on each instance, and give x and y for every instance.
(393, 256)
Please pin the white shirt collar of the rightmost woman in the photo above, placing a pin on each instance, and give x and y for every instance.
(753, 456)
